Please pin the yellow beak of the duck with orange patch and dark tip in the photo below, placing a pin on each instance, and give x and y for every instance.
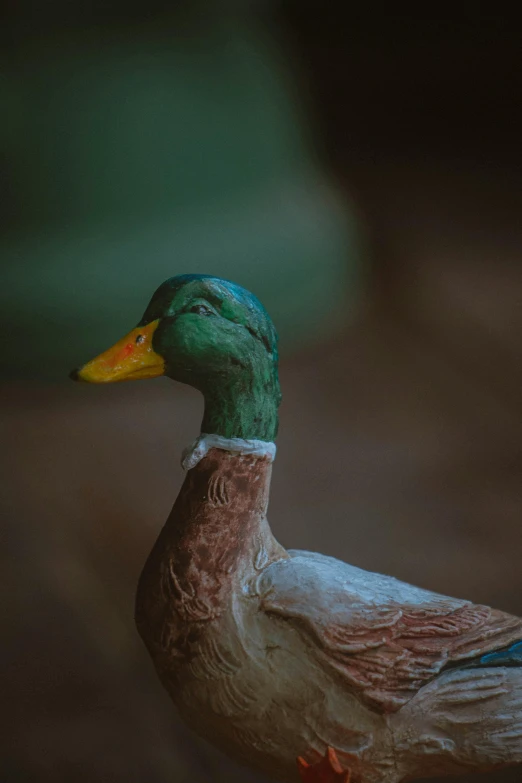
(132, 358)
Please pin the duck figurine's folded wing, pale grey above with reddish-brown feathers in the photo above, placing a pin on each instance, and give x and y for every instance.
(384, 638)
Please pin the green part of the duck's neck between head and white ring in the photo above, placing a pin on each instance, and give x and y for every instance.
(246, 405)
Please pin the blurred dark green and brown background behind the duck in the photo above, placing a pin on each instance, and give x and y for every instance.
(361, 173)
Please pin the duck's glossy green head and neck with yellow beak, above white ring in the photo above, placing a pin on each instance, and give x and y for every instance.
(213, 335)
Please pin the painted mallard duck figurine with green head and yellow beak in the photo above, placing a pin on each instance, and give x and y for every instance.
(276, 655)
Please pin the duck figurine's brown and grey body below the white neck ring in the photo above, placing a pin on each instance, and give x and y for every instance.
(272, 654)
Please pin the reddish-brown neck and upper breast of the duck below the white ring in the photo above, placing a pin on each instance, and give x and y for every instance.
(216, 538)
